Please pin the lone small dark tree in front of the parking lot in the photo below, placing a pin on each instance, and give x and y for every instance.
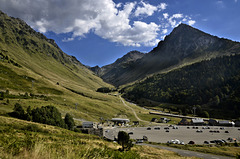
(124, 140)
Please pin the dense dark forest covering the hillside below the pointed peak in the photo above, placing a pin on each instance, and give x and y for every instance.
(214, 84)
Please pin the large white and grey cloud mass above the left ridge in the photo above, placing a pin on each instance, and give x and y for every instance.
(116, 22)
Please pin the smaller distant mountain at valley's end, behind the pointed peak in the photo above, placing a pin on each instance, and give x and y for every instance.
(110, 72)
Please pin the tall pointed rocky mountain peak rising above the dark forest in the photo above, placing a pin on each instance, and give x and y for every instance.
(185, 45)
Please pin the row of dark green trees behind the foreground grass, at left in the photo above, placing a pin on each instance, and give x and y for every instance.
(45, 115)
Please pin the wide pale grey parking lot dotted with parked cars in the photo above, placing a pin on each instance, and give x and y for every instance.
(198, 134)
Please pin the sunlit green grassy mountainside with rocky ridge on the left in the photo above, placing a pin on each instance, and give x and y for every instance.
(35, 72)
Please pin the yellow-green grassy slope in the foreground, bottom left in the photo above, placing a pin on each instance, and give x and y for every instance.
(23, 139)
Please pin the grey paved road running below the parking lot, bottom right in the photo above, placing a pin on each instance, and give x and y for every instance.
(189, 153)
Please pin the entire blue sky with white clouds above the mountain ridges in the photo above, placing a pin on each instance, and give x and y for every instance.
(97, 32)
